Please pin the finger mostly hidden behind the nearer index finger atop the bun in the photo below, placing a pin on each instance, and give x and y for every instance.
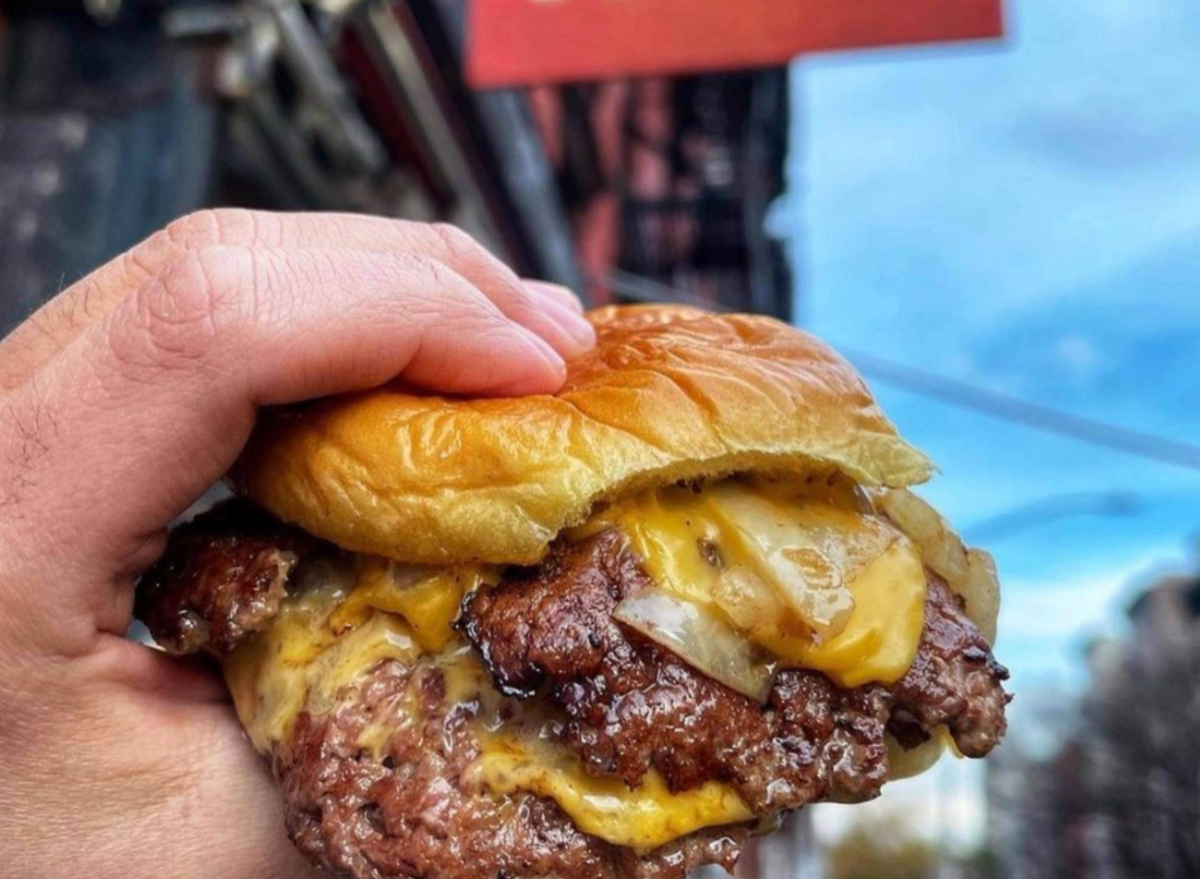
(65, 316)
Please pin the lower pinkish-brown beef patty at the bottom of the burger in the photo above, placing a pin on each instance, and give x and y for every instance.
(407, 812)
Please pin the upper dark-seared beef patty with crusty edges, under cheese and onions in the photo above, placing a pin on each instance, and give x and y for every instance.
(633, 705)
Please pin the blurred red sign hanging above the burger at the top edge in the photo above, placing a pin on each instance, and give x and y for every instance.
(523, 43)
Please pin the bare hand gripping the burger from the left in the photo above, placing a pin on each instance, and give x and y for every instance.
(121, 403)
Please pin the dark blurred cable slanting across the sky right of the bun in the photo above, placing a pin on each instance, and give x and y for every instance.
(1012, 409)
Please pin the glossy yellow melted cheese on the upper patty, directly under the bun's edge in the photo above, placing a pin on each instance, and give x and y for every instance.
(747, 530)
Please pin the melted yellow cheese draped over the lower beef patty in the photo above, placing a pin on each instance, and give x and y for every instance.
(301, 665)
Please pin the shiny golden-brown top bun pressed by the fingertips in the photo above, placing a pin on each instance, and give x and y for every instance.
(668, 394)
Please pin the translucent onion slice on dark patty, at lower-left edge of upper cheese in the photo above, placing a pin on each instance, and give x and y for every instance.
(700, 638)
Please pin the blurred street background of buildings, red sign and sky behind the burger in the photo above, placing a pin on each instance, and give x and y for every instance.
(994, 213)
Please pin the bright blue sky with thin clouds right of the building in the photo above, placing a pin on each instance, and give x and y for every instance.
(1024, 217)
